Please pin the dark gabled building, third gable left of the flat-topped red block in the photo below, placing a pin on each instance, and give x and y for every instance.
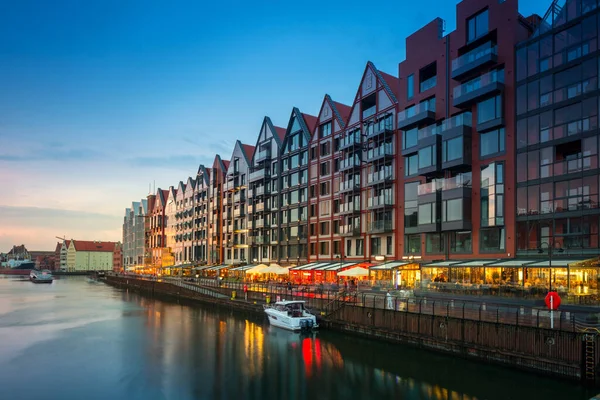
(293, 185)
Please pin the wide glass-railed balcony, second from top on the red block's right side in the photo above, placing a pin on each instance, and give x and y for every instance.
(486, 85)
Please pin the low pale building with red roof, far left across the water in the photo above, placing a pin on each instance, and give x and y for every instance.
(90, 255)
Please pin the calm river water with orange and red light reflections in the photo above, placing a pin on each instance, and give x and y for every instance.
(77, 339)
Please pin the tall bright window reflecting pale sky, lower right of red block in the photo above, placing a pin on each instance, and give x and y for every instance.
(492, 195)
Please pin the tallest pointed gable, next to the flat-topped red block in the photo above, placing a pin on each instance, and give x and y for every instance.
(385, 86)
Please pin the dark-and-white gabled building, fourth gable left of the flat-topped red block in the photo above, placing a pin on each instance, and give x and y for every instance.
(263, 194)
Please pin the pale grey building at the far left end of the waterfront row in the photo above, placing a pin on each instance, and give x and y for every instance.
(133, 234)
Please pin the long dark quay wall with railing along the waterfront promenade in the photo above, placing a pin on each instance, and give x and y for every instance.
(514, 336)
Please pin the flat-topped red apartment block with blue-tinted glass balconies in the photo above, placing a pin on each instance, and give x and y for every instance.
(456, 121)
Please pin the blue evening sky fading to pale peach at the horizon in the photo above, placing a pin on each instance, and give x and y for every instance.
(102, 100)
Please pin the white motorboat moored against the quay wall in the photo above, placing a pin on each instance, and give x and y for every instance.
(291, 315)
